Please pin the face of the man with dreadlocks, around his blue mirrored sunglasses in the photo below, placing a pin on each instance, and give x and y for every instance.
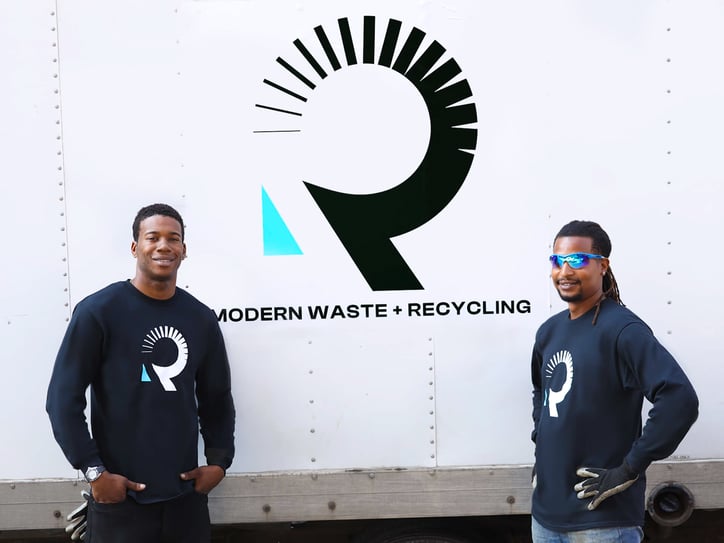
(581, 288)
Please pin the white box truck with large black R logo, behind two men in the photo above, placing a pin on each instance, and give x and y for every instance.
(370, 189)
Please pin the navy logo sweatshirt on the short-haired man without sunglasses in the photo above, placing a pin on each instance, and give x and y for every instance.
(158, 371)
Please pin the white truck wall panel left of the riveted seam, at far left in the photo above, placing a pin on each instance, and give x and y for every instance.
(34, 299)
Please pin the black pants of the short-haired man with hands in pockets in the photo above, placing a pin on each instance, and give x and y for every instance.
(181, 520)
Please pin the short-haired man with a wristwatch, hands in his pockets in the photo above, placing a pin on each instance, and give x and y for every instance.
(156, 364)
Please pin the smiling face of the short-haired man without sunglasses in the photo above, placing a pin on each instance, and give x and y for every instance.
(158, 252)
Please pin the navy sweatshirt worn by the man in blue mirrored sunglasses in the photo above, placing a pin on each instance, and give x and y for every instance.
(589, 382)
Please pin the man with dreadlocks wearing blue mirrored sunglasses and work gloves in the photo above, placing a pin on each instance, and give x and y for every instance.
(592, 366)
